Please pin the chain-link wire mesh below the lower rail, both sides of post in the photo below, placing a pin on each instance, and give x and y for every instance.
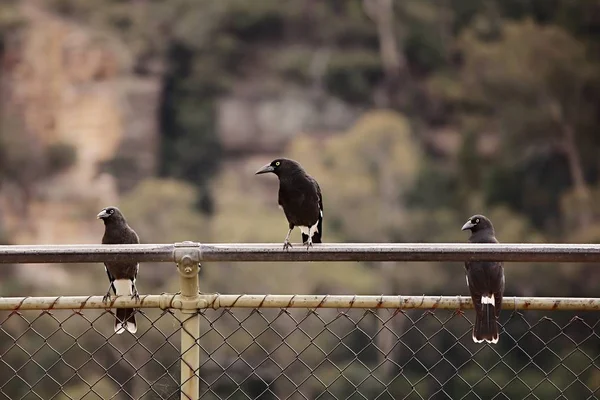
(301, 353)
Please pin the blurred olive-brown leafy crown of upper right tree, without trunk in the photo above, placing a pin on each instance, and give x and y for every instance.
(529, 66)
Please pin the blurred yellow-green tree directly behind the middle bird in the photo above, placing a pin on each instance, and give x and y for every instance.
(378, 161)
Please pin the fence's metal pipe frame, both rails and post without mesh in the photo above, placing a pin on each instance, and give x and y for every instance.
(188, 256)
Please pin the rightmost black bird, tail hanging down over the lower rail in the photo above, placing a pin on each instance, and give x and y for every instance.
(485, 280)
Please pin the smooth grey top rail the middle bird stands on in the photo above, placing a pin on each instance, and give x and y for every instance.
(264, 252)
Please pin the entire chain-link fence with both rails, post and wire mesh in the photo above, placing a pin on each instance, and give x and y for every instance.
(191, 345)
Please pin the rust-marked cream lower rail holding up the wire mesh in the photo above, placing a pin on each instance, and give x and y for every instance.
(216, 301)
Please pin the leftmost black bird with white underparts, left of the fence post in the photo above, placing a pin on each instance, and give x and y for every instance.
(122, 275)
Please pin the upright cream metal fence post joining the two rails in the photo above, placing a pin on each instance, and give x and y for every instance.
(187, 257)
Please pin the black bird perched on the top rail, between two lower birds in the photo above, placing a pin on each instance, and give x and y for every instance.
(300, 198)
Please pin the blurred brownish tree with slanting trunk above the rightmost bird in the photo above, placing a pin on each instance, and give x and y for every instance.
(533, 80)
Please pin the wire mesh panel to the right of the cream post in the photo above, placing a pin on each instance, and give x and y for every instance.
(391, 354)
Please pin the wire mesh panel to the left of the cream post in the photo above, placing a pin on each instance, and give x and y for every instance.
(63, 354)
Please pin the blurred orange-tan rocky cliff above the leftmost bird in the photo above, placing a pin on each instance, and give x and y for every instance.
(65, 84)
